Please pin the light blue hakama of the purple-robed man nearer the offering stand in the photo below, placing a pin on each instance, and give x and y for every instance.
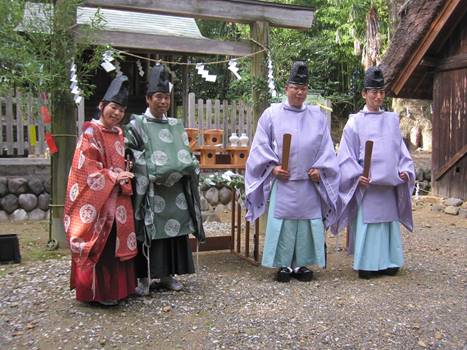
(292, 243)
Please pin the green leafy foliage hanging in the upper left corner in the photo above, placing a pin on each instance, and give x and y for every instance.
(37, 47)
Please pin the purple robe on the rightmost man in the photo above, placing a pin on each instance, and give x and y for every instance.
(388, 197)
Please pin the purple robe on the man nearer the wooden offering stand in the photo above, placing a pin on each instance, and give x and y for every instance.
(311, 147)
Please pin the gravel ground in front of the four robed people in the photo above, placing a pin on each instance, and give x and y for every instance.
(231, 304)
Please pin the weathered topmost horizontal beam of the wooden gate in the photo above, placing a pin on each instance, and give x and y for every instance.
(243, 11)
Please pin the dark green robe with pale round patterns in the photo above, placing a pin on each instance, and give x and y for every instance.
(166, 198)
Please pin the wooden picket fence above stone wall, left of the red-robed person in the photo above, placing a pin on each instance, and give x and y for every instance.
(21, 127)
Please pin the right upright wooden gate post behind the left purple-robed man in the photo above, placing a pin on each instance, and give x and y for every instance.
(260, 33)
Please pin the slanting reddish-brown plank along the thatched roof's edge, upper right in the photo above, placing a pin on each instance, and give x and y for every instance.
(435, 28)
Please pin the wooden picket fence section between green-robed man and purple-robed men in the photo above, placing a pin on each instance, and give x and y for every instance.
(233, 116)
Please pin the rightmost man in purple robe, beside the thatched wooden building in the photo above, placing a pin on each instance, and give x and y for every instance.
(372, 207)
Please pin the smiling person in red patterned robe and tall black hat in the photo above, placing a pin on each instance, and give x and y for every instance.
(98, 216)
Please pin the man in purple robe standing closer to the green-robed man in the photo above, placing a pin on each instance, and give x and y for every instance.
(302, 199)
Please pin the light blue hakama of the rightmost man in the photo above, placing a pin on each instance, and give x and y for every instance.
(377, 246)
